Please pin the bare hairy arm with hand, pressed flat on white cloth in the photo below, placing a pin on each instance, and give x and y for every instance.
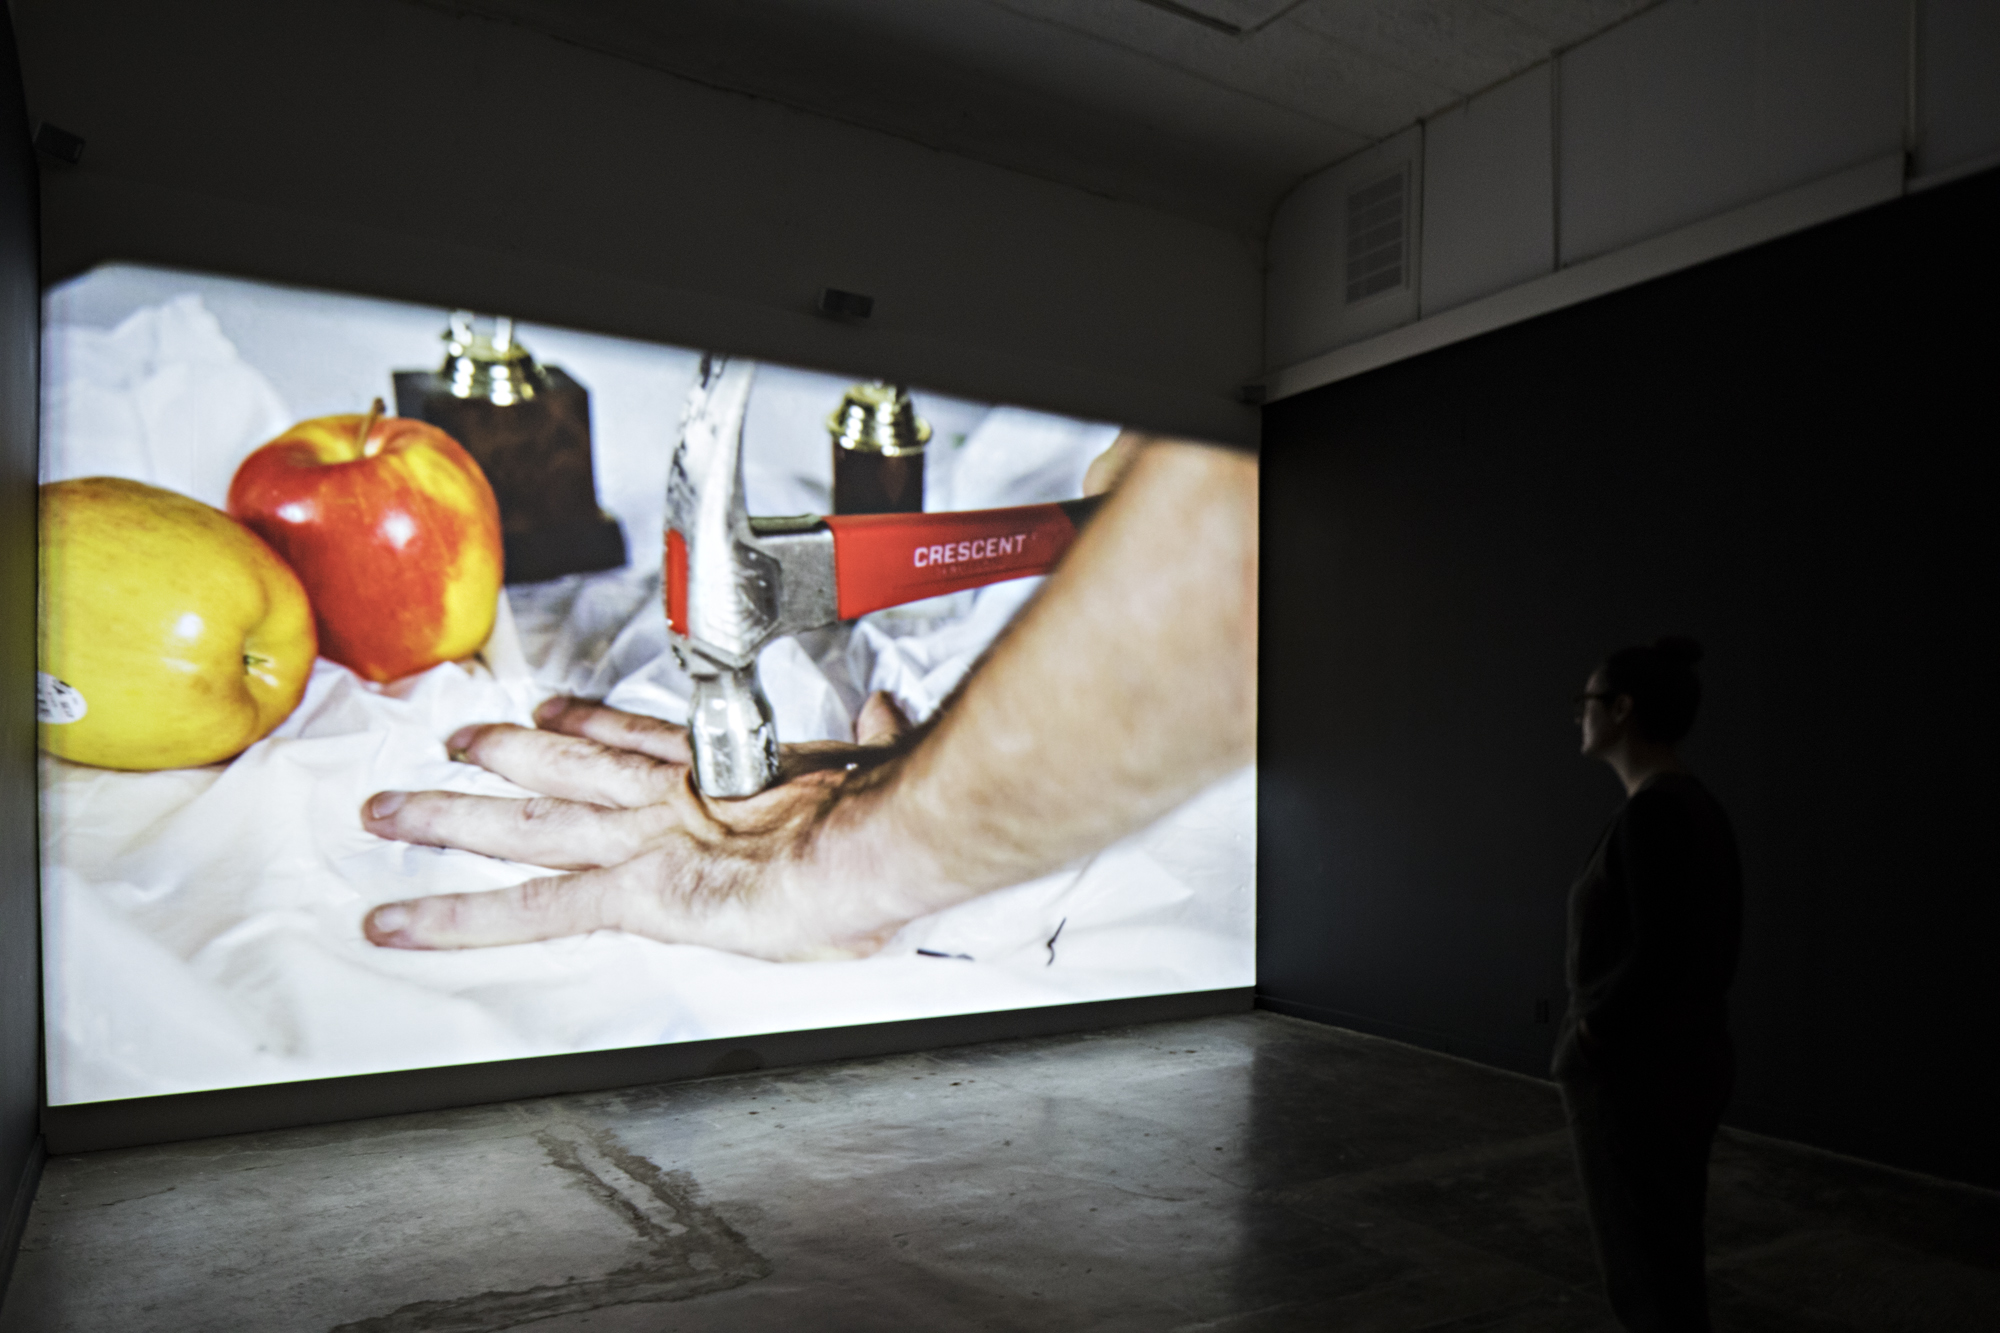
(1119, 694)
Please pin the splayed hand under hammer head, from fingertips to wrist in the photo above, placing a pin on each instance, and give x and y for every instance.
(799, 872)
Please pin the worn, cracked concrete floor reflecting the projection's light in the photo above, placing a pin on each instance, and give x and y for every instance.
(1227, 1174)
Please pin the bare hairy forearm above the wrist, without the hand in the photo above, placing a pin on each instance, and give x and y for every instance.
(1121, 692)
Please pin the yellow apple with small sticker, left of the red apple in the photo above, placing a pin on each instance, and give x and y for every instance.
(171, 633)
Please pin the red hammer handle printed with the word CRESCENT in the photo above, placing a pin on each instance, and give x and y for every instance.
(893, 559)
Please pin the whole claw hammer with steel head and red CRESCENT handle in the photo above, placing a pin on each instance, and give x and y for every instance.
(735, 583)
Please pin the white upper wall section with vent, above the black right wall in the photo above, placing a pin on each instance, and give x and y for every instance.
(1647, 141)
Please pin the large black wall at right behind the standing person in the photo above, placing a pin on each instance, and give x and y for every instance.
(1785, 453)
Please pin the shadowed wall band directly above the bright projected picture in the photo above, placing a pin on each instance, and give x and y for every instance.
(403, 151)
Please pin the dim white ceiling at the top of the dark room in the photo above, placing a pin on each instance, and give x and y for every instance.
(1209, 109)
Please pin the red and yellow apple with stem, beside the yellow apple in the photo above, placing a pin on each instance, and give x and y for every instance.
(393, 529)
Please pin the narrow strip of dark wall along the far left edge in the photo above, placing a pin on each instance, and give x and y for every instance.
(21, 934)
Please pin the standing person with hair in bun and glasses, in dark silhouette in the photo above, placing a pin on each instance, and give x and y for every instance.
(1645, 1058)
